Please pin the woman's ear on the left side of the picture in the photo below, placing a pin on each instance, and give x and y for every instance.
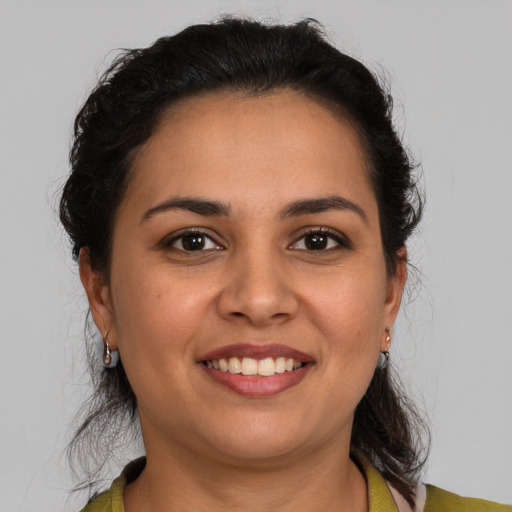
(98, 294)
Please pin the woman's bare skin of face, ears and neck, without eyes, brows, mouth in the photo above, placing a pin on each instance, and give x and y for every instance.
(209, 448)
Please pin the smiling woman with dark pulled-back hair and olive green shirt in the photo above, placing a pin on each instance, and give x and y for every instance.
(240, 203)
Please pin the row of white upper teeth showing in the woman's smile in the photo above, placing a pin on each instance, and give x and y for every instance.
(249, 366)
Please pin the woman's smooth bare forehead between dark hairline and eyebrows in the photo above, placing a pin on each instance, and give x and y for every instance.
(231, 145)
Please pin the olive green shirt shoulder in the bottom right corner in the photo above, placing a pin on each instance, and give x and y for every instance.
(439, 500)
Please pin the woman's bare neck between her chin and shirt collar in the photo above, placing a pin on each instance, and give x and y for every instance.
(325, 479)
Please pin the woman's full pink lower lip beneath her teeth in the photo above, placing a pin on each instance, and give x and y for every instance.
(255, 385)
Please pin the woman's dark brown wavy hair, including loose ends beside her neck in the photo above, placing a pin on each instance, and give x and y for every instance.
(238, 55)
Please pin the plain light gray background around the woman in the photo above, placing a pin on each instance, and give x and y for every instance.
(450, 66)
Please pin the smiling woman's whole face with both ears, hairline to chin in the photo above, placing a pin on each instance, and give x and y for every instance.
(248, 231)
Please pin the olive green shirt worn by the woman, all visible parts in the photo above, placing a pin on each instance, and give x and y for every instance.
(380, 496)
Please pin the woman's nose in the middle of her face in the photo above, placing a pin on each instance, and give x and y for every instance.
(258, 291)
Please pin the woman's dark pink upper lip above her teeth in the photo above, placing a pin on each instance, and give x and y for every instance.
(256, 352)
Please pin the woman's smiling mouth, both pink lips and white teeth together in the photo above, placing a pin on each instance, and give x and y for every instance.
(257, 370)
